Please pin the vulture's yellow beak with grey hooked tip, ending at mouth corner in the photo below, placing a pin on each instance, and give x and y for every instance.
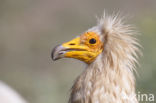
(71, 49)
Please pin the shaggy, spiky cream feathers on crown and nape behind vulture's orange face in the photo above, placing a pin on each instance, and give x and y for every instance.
(119, 38)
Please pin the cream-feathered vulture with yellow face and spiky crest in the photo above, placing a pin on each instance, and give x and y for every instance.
(110, 50)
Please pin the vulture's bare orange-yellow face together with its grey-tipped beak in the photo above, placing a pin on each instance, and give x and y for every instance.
(86, 48)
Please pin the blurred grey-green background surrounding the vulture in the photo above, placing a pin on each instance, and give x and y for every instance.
(29, 29)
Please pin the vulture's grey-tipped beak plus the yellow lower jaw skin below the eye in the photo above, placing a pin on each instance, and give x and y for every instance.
(73, 49)
